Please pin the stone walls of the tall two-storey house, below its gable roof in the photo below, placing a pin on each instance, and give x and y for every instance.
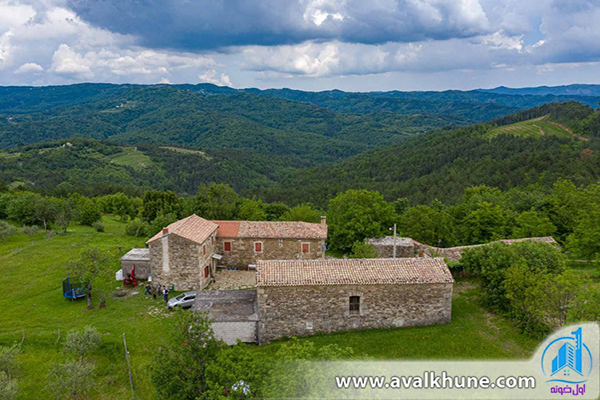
(182, 262)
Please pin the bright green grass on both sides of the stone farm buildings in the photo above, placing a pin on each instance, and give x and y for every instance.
(31, 274)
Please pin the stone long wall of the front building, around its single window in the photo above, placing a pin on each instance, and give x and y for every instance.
(305, 310)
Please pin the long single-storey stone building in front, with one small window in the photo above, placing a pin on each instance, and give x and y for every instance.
(302, 297)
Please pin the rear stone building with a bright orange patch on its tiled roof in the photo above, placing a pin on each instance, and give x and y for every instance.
(243, 243)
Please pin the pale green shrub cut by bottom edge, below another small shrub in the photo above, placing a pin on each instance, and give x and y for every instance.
(72, 378)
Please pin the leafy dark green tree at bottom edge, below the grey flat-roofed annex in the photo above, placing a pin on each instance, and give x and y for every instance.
(178, 369)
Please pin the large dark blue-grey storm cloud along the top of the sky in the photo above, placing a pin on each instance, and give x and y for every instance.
(213, 24)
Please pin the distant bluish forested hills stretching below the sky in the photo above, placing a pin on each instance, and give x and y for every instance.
(308, 128)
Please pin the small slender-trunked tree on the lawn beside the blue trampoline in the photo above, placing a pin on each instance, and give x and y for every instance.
(91, 264)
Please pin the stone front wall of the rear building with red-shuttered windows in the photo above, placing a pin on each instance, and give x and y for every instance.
(242, 250)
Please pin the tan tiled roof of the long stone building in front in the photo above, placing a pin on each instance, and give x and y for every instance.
(367, 271)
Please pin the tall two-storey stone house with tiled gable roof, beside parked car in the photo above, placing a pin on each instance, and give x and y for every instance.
(182, 253)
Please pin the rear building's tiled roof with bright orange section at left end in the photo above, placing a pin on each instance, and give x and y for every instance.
(271, 229)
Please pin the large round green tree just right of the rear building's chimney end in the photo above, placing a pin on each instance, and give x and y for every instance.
(357, 214)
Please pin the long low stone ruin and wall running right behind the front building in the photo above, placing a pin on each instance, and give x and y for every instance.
(407, 247)
